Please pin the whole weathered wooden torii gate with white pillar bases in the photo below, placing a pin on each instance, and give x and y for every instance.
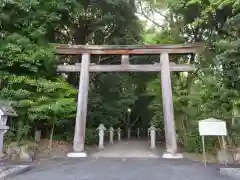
(165, 67)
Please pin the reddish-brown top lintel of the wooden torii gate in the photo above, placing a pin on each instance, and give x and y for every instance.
(66, 49)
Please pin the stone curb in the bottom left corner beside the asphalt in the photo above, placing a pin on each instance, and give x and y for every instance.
(8, 171)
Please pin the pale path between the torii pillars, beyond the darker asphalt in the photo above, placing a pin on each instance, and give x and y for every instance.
(127, 149)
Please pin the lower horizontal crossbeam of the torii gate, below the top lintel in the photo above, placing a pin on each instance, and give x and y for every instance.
(126, 68)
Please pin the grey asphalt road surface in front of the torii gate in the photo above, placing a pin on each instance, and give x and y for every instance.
(124, 169)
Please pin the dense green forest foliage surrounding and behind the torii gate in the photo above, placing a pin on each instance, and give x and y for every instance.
(46, 100)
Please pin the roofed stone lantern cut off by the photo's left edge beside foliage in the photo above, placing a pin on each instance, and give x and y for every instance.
(5, 111)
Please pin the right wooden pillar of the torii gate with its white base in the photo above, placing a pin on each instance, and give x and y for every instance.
(169, 124)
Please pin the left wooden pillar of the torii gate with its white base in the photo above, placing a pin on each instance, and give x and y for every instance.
(80, 123)
